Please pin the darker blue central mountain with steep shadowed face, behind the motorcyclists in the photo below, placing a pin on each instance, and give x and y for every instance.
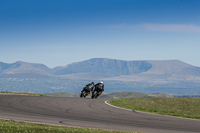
(99, 67)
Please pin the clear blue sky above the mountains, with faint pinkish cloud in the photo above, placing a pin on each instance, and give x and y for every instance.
(61, 32)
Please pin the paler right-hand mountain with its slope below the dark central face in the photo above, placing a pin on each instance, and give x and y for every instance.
(162, 72)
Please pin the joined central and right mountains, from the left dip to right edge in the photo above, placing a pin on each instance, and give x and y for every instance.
(166, 71)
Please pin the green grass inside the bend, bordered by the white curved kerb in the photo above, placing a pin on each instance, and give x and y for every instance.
(180, 107)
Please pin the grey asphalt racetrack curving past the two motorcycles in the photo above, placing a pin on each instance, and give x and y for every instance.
(90, 113)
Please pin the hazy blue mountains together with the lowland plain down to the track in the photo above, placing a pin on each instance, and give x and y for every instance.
(144, 76)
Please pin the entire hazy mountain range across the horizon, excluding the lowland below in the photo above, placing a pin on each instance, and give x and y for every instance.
(166, 71)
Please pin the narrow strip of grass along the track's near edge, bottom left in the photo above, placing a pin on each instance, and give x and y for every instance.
(10, 126)
